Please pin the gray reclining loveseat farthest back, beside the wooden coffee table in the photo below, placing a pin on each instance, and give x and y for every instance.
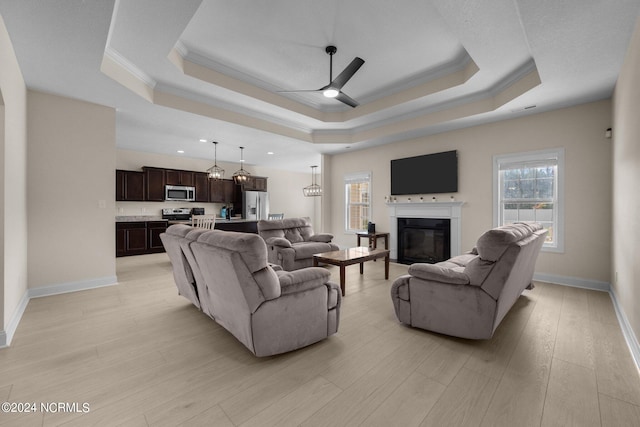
(291, 242)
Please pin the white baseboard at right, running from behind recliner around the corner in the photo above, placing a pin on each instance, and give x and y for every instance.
(625, 326)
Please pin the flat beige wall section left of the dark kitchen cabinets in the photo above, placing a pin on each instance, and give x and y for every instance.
(71, 191)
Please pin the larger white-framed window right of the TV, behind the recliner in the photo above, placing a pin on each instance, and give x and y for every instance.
(528, 187)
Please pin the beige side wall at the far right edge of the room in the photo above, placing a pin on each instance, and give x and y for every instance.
(626, 179)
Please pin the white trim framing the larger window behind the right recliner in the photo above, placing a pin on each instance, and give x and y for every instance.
(540, 155)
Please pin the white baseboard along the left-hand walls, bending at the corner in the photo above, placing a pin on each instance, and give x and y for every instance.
(7, 335)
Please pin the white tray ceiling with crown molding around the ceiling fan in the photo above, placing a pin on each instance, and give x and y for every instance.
(179, 71)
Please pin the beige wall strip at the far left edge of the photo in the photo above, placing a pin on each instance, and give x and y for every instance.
(13, 202)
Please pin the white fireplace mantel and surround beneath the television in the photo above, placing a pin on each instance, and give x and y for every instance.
(450, 210)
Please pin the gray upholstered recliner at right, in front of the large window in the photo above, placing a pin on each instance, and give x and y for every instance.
(467, 296)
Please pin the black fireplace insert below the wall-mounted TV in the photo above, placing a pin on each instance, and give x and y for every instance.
(423, 240)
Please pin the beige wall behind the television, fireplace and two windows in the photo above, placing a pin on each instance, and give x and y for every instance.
(580, 130)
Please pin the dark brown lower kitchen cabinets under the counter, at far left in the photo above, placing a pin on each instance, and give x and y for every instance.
(140, 237)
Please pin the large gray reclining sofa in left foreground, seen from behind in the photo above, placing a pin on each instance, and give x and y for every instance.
(269, 311)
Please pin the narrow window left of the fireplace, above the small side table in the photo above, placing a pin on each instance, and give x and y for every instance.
(358, 201)
